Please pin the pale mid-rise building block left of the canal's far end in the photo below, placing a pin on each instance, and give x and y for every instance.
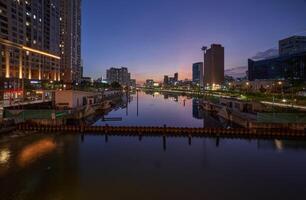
(120, 75)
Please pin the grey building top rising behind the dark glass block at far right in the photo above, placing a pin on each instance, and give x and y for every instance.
(292, 45)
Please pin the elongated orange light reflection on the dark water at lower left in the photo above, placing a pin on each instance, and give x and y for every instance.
(34, 151)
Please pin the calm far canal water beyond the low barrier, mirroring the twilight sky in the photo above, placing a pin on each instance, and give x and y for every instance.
(156, 109)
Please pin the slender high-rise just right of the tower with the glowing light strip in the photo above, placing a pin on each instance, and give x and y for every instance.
(71, 41)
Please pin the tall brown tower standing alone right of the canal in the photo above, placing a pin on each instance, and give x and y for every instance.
(214, 65)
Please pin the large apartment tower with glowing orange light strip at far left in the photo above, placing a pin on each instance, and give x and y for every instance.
(29, 43)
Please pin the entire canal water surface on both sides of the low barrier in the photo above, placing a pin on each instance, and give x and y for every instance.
(72, 166)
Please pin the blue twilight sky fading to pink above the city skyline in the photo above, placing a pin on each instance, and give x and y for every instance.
(153, 38)
